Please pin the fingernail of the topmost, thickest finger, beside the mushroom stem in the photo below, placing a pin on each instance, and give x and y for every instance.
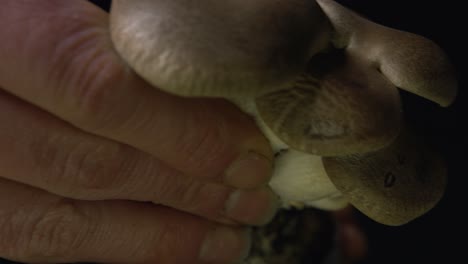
(249, 171)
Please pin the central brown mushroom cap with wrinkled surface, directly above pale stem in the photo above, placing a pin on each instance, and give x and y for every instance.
(339, 106)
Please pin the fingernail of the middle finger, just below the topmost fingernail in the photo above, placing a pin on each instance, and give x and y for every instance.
(254, 207)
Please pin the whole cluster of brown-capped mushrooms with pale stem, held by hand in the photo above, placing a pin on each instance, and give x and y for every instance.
(321, 82)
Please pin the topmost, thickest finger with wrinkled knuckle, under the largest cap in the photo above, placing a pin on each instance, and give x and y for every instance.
(67, 66)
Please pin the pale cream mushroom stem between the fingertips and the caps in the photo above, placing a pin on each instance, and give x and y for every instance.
(299, 178)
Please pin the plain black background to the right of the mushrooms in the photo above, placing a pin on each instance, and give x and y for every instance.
(439, 236)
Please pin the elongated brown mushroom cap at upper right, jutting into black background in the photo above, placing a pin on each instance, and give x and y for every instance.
(411, 62)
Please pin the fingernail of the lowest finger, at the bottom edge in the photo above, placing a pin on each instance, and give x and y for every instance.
(225, 244)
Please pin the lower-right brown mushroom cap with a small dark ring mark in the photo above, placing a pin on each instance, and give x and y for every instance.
(393, 185)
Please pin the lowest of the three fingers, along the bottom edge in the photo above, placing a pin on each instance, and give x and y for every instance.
(39, 227)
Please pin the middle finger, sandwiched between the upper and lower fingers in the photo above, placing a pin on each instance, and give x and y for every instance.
(45, 152)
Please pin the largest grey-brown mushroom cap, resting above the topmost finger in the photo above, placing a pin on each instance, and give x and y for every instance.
(218, 48)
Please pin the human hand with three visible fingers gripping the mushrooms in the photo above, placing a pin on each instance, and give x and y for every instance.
(98, 166)
